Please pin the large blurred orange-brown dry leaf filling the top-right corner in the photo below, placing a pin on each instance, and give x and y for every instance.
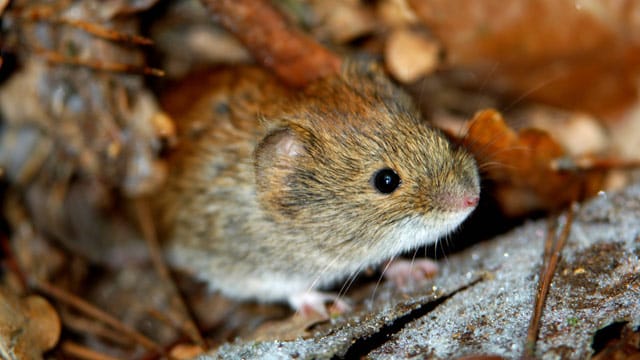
(534, 48)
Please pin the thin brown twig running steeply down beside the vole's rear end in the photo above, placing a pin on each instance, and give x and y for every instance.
(149, 233)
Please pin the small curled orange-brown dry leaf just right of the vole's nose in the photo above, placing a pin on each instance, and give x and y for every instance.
(520, 164)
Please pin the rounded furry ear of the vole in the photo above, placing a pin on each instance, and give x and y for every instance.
(275, 161)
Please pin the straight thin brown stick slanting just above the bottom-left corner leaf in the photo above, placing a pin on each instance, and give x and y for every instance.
(91, 310)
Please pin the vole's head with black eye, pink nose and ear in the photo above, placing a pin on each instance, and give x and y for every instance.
(351, 160)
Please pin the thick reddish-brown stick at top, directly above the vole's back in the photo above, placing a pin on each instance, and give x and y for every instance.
(296, 58)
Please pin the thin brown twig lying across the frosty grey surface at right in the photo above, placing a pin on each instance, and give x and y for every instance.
(552, 252)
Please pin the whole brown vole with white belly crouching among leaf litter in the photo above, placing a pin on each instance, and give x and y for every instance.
(275, 193)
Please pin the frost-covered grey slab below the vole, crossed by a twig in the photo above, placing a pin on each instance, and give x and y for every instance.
(482, 300)
